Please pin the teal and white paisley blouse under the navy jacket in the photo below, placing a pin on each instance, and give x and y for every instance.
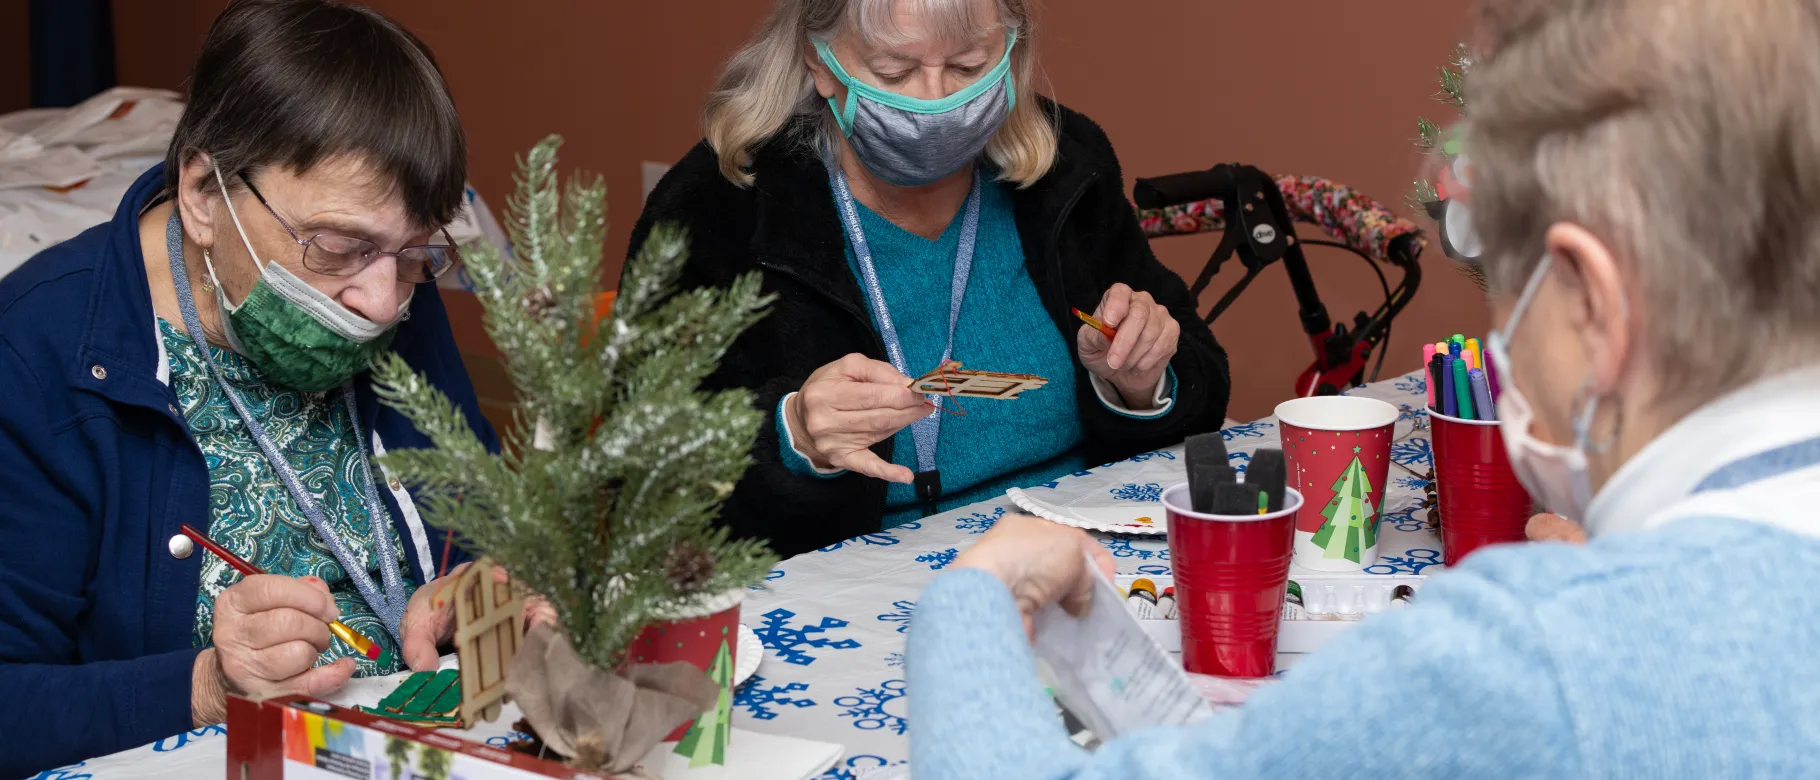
(254, 515)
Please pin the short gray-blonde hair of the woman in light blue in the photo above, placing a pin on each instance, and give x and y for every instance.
(1686, 134)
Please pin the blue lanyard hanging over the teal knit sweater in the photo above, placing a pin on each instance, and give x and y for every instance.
(925, 432)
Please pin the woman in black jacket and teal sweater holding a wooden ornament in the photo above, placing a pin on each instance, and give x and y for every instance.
(891, 172)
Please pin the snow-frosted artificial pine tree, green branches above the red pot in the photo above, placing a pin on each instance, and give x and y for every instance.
(614, 470)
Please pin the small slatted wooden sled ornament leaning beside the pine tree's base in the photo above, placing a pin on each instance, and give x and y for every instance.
(489, 626)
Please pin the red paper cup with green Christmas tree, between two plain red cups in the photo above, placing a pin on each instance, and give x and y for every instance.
(1339, 455)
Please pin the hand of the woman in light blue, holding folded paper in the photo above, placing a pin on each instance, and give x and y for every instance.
(1042, 565)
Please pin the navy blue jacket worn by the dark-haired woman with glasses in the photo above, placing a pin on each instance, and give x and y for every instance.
(97, 472)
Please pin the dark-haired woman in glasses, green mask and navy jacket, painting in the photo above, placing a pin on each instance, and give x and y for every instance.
(203, 361)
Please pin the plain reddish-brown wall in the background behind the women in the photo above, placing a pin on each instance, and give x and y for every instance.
(1313, 88)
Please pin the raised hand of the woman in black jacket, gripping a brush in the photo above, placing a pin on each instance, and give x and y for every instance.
(1138, 357)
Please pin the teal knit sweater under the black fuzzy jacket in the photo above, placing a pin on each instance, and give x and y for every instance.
(996, 445)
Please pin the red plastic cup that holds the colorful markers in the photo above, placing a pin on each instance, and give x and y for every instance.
(1482, 503)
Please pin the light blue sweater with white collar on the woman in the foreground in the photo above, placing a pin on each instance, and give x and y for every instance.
(1684, 648)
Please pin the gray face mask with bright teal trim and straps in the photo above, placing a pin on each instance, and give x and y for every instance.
(913, 143)
